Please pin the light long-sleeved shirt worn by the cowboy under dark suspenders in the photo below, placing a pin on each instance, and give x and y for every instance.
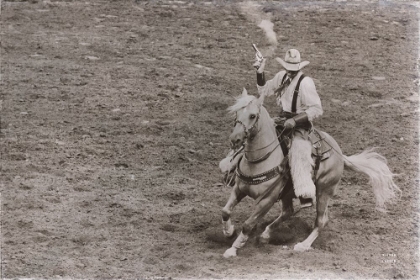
(308, 100)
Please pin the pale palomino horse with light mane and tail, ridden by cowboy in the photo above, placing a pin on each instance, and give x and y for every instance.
(262, 174)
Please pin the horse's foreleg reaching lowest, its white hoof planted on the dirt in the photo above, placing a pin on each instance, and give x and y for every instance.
(261, 209)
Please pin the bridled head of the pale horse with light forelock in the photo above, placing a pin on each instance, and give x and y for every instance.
(248, 111)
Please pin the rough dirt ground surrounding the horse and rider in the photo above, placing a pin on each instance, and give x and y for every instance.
(113, 122)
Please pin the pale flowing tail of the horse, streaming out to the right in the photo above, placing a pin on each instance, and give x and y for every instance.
(375, 167)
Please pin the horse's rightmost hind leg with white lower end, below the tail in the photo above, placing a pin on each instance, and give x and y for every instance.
(320, 222)
